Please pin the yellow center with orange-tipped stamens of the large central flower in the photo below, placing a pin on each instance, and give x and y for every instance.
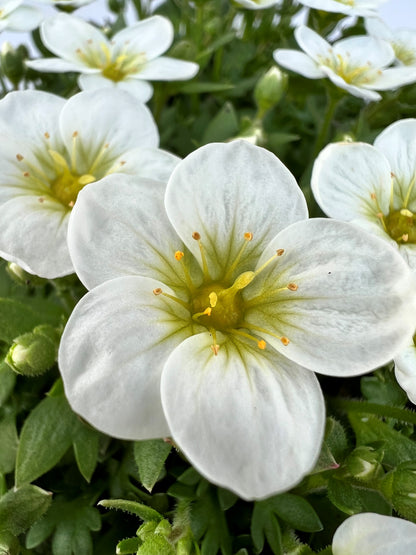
(220, 305)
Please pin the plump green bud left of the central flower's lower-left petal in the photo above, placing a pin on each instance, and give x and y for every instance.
(35, 352)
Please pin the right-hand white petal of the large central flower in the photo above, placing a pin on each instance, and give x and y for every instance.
(354, 306)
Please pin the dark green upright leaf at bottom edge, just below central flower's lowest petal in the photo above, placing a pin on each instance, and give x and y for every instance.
(265, 526)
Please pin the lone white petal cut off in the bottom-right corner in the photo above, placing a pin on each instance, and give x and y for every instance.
(374, 534)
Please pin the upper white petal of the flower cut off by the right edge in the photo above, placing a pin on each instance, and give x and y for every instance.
(398, 144)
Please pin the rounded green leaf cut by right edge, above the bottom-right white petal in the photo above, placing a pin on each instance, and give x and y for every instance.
(399, 487)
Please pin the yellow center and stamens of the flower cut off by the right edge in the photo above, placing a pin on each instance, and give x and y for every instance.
(399, 223)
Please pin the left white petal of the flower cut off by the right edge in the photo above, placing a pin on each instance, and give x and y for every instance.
(344, 178)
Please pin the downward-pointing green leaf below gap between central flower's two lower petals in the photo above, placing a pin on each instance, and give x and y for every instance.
(150, 457)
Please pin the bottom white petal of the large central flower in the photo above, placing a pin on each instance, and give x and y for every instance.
(248, 421)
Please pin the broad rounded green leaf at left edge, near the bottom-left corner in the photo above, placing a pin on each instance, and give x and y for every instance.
(20, 508)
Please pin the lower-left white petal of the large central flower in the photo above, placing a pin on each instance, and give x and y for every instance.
(112, 353)
